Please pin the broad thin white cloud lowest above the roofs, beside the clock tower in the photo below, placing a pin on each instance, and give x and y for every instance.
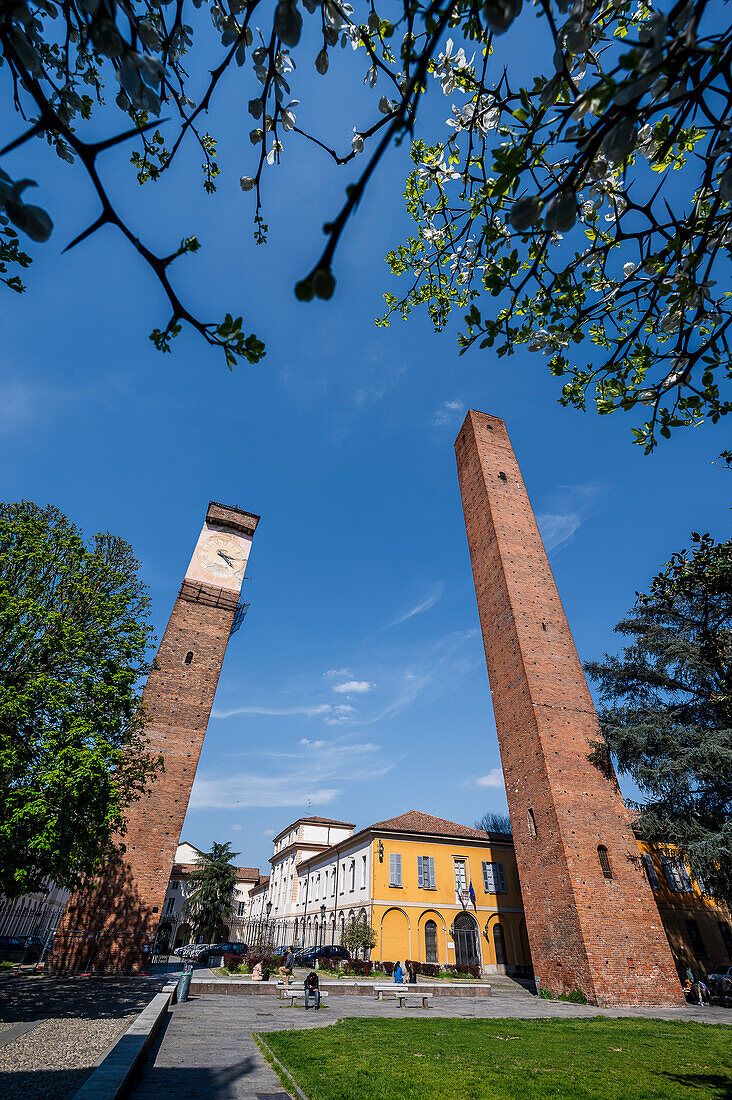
(315, 772)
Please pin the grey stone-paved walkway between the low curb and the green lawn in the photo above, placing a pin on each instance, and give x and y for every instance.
(206, 1048)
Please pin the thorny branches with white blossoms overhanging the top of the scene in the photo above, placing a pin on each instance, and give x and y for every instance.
(591, 201)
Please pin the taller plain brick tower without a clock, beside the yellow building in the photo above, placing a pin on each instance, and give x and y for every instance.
(592, 919)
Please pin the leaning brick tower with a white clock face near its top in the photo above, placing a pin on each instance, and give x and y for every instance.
(111, 925)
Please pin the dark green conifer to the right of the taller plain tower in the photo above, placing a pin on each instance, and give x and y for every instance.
(668, 719)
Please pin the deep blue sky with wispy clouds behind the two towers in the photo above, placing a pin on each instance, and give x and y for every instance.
(356, 688)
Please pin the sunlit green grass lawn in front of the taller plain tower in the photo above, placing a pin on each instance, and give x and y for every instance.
(507, 1060)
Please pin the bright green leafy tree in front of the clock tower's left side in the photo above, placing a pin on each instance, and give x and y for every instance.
(74, 645)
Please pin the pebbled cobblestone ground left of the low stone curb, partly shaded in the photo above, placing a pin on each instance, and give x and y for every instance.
(72, 1024)
